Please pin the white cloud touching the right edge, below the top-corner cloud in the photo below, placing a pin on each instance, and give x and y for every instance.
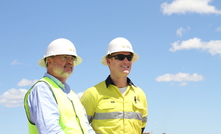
(213, 46)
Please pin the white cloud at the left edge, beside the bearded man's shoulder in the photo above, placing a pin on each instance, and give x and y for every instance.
(13, 97)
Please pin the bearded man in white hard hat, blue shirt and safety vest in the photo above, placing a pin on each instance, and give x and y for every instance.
(51, 106)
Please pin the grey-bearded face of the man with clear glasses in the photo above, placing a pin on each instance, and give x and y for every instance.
(61, 65)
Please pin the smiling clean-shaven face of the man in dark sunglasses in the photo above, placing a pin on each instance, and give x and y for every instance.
(119, 65)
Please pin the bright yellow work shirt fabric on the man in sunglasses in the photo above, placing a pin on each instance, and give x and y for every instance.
(102, 100)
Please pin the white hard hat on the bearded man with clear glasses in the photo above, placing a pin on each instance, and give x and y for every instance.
(60, 46)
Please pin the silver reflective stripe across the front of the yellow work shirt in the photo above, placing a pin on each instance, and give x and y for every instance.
(118, 115)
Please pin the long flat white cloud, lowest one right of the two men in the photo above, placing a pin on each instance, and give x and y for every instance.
(183, 78)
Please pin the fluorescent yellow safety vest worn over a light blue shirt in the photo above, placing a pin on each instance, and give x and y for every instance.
(72, 119)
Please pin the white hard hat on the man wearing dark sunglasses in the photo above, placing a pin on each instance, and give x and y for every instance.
(119, 44)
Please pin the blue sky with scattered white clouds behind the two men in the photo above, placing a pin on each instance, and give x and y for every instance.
(178, 41)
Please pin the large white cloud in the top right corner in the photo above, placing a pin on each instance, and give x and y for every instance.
(192, 6)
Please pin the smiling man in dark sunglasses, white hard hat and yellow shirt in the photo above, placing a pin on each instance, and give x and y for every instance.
(116, 105)
